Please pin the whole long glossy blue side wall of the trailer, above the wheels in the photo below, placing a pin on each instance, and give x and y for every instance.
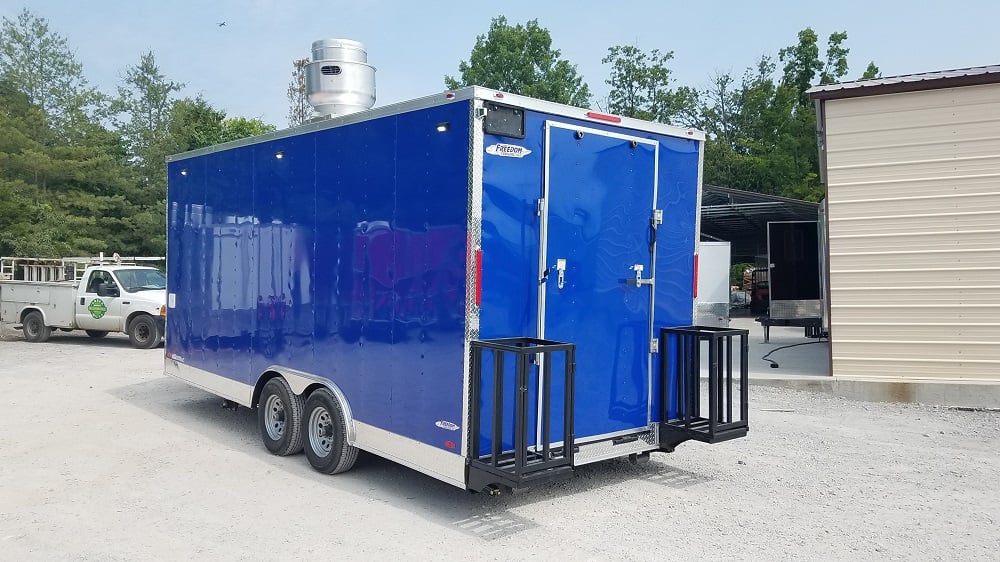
(339, 252)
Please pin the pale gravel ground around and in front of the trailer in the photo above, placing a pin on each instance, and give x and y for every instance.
(104, 458)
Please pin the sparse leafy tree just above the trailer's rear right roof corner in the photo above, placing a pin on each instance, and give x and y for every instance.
(640, 87)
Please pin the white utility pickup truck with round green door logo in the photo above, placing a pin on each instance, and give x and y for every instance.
(106, 297)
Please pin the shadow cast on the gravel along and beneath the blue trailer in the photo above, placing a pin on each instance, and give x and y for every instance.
(376, 479)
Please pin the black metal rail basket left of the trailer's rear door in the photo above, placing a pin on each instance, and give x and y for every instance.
(523, 465)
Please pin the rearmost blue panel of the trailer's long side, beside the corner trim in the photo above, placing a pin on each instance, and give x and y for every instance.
(431, 206)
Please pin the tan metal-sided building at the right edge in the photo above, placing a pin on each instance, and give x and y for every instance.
(912, 168)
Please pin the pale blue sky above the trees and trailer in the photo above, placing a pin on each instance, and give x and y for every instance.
(244, 67)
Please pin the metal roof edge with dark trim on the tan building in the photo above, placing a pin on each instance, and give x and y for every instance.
(973, 76)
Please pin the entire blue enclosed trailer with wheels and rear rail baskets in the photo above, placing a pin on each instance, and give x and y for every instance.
(472, 284)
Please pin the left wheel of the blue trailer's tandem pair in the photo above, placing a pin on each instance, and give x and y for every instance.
(279, 418)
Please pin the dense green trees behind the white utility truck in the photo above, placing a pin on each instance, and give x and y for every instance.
(68, 184)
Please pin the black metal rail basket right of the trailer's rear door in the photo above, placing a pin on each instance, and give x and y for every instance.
(680, 372)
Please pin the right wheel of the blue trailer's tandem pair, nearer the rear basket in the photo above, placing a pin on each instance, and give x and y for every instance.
(325, 433)
